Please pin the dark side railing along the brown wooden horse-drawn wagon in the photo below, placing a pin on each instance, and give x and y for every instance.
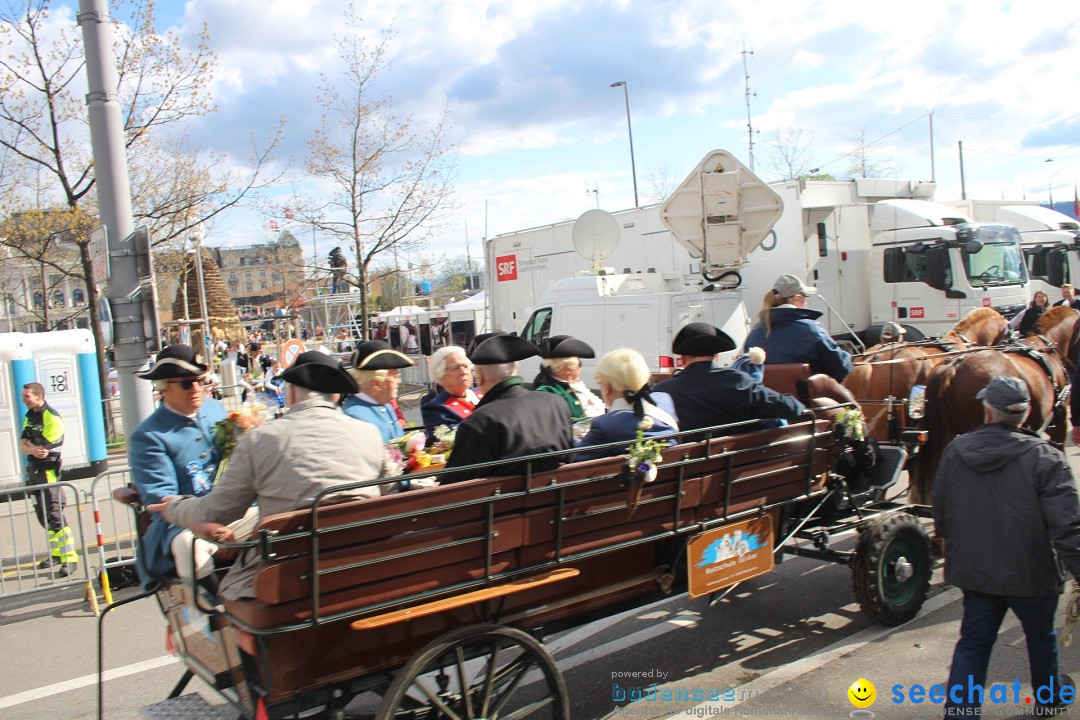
(800, 447)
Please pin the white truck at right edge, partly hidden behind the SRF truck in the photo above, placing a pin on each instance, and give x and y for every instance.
(1049, 240)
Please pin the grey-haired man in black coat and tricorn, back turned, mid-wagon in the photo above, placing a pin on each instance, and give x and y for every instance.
(511, 422)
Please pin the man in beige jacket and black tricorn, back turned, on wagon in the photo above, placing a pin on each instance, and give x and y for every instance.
(285, 465)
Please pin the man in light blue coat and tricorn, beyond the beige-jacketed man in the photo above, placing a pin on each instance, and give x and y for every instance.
(375, 370)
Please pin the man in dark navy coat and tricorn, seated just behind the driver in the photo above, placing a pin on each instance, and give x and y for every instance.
(707, 396)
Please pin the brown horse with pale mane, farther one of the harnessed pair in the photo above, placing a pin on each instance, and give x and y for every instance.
(892, 371)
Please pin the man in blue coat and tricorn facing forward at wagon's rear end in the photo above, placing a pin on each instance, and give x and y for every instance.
(172, 453)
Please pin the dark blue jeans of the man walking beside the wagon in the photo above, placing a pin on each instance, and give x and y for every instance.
(979, 630)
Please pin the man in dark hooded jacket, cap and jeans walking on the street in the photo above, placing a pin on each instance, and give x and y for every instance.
(1006, 505)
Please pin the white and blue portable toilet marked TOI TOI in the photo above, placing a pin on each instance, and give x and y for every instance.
(65, 362)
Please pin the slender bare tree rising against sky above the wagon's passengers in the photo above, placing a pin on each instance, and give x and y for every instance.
(389, 186)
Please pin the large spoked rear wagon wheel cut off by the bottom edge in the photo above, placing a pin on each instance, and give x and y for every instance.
(479, 672)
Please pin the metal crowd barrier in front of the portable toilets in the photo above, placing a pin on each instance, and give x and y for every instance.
(104, 537)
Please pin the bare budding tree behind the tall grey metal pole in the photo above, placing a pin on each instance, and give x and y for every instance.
(45, 127)
